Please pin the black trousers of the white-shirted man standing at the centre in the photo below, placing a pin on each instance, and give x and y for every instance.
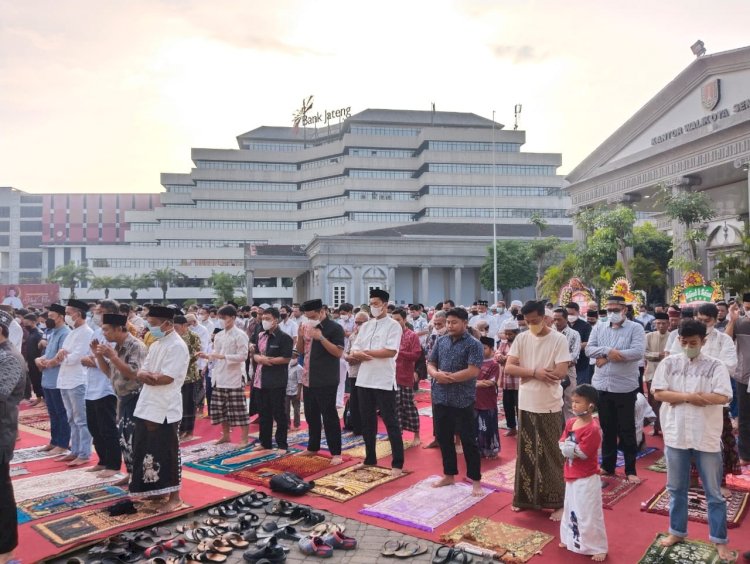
(370, 401)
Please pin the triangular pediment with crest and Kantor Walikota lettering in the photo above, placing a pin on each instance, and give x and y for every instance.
(712, 93)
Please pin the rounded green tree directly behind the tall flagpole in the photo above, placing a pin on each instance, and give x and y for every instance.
(515, 267)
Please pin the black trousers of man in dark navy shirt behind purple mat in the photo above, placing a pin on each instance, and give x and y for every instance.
(452, 420)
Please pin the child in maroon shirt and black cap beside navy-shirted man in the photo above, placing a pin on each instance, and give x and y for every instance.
(485, 406)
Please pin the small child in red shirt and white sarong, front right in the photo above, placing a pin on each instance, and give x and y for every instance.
(582, 526)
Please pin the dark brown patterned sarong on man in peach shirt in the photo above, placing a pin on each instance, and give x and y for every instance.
(539, 468)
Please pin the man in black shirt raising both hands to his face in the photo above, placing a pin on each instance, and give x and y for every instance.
(322, 341)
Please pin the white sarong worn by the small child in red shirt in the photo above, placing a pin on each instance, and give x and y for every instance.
(582, 526)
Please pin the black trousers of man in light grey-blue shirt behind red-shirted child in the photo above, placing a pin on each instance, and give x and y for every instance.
(617, 419)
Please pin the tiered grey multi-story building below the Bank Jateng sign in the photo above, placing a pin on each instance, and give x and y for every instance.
(435, 181)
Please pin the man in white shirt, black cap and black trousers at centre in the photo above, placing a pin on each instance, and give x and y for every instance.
(375, 349)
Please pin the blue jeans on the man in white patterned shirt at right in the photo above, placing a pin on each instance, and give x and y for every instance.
(710, 468)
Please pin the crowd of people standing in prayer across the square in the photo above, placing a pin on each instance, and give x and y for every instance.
(131, 382)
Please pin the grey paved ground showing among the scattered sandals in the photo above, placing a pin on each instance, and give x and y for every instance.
(369, 537)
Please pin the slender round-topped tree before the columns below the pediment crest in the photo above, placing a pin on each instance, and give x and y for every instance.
(689, 209)
